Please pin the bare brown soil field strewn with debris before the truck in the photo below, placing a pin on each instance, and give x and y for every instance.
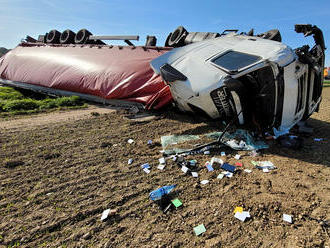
(66, 173)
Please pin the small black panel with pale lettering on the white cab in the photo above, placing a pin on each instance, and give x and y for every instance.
(221, 99)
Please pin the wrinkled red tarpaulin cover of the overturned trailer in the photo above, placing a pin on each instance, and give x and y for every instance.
(111, 72)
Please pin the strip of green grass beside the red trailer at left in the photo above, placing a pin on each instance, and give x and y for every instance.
(13, 102)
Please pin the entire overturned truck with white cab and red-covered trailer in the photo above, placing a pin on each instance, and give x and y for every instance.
(250, 78)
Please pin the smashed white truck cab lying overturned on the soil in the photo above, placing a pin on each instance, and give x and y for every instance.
(253, 79)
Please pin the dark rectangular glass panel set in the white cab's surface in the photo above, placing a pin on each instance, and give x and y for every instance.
(234, 61)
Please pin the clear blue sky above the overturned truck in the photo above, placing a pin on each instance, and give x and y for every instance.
(19, 18)
